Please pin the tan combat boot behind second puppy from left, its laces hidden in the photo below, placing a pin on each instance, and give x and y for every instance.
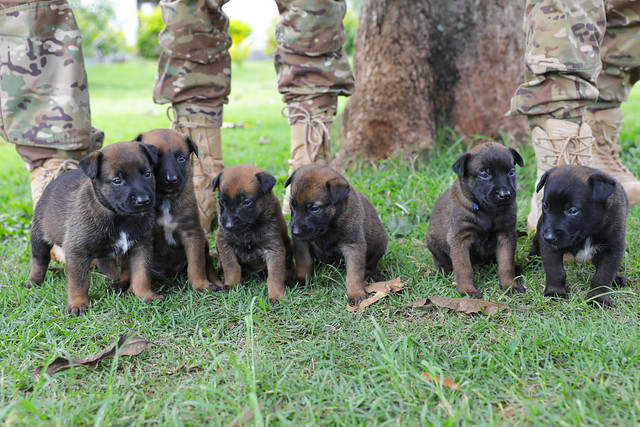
(207, 165)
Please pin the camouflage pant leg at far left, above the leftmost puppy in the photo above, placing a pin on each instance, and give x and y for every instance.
(44, 98)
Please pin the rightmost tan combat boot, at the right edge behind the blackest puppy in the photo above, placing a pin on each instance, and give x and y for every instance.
(605, 125)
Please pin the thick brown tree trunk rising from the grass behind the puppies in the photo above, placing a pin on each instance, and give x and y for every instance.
(422, 64)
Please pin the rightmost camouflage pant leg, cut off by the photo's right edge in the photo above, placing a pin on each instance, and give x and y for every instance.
(620, 53)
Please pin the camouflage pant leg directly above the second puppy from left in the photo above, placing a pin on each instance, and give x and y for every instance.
(194, 70)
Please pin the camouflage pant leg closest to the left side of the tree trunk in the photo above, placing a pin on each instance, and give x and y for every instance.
(312, 66)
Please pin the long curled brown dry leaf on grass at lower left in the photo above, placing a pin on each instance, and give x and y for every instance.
(127, 345)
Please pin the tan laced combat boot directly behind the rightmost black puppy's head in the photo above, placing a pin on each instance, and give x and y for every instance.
(560, 143)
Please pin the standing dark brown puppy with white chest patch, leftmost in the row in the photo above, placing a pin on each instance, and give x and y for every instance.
(102, 210)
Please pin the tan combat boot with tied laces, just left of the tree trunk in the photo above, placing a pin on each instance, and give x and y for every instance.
(310, 142)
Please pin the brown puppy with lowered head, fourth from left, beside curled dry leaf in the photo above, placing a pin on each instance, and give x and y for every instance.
(331, 221)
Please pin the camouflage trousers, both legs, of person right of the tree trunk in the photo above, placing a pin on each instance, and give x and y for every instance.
(580, 54)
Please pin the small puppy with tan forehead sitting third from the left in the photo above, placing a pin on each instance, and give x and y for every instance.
(253, 232)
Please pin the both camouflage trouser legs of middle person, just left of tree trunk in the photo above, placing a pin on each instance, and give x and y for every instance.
(194, 70)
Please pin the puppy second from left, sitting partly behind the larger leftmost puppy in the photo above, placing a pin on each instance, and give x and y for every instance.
(179, 242)
